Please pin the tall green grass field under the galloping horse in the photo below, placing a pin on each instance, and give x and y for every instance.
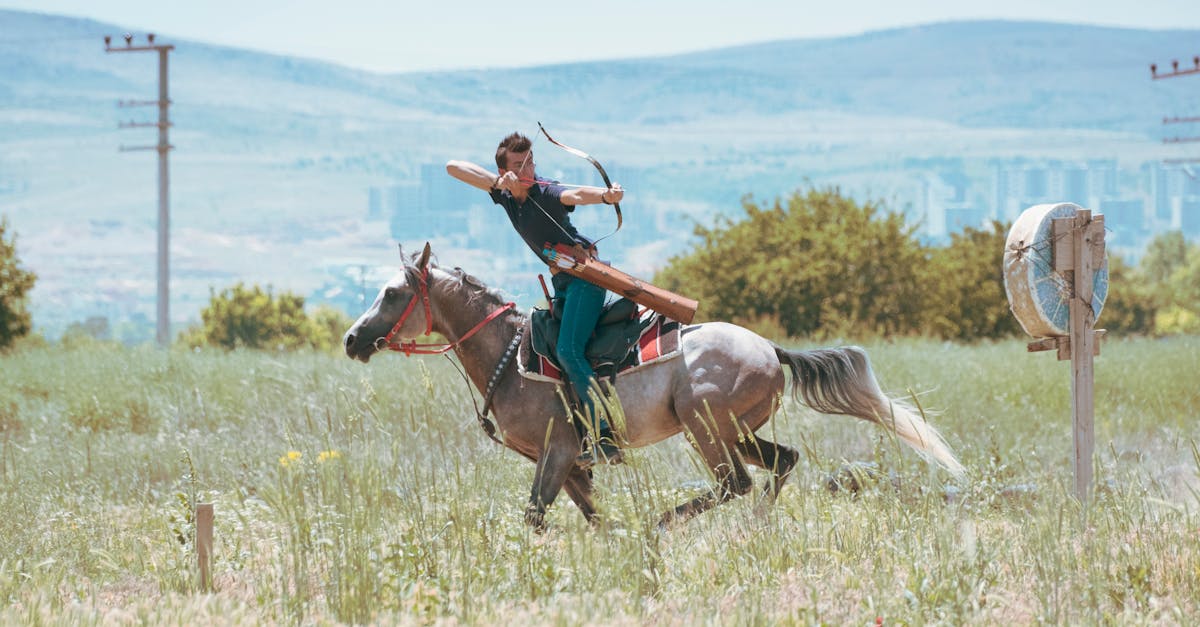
(350, 494)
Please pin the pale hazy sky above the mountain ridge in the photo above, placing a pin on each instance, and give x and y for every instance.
(399, 35)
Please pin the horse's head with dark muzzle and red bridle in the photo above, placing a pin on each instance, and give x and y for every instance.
(398, 313)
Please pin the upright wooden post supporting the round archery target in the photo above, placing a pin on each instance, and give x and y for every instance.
(1083, 319)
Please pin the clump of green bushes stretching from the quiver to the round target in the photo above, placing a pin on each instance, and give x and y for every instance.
(827, 266)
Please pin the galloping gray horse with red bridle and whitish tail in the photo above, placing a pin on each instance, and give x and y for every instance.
(727, 384)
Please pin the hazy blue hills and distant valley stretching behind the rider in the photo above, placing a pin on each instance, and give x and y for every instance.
(275, 156)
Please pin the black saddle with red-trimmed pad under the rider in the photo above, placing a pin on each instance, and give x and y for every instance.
(622, 341)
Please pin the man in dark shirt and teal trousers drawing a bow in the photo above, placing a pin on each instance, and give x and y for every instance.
(539, 211)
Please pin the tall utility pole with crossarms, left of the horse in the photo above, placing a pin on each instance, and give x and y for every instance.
(164, 147)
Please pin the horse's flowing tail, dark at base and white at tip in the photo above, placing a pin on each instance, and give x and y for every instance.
(842, 381)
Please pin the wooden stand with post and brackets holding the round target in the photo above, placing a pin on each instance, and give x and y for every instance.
(1078, 254)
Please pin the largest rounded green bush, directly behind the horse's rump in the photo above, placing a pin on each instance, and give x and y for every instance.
(823, 265)
